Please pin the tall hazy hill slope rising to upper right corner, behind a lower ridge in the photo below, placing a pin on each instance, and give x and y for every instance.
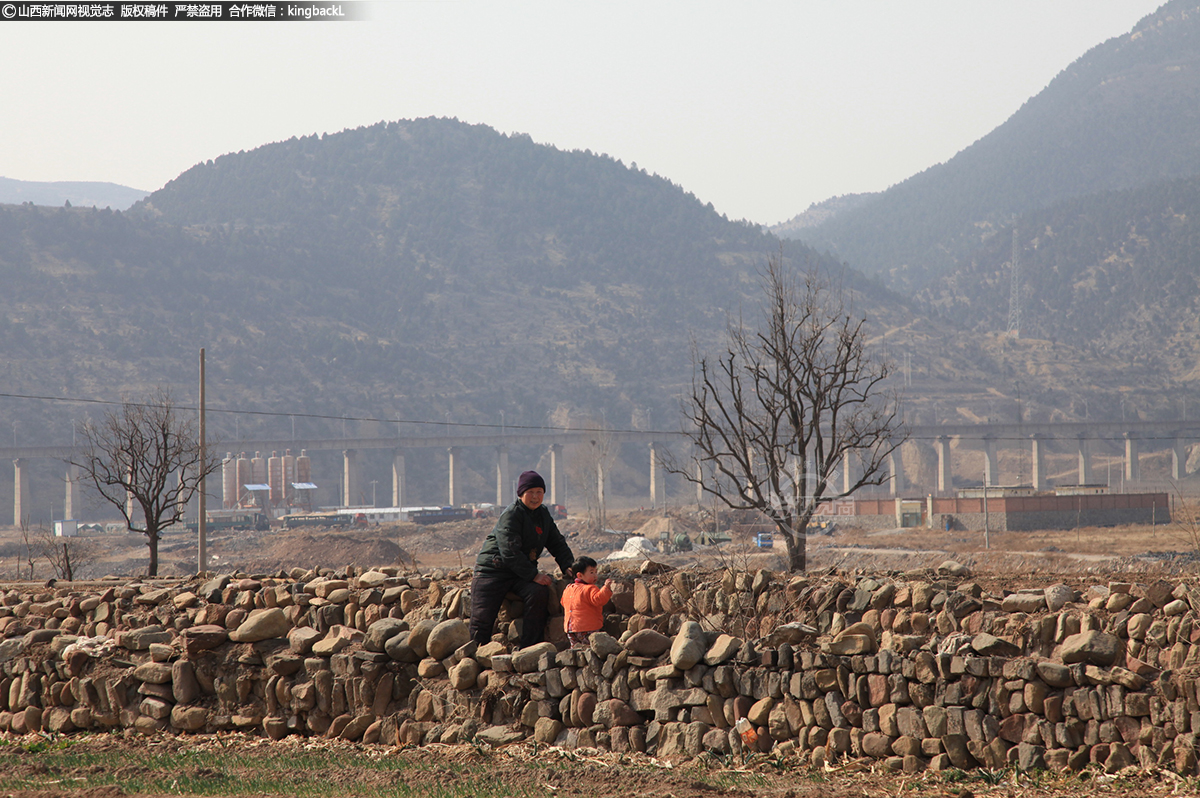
(1124, 116)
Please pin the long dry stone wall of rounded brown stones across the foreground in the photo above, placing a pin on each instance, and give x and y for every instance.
(921, 671)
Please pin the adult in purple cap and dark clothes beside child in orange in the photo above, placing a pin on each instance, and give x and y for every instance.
(508, 563)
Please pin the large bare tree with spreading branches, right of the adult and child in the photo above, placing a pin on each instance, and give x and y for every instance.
(777, 415)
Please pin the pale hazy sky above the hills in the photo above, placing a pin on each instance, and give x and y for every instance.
(760, 109)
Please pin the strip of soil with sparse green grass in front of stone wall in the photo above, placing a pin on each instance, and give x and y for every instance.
(109, 766)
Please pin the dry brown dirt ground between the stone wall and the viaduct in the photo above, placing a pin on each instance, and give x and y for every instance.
(1167, 549)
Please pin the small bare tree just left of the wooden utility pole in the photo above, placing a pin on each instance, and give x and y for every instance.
(146, 460)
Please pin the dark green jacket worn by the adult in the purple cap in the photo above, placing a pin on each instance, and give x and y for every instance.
(518, 542)
